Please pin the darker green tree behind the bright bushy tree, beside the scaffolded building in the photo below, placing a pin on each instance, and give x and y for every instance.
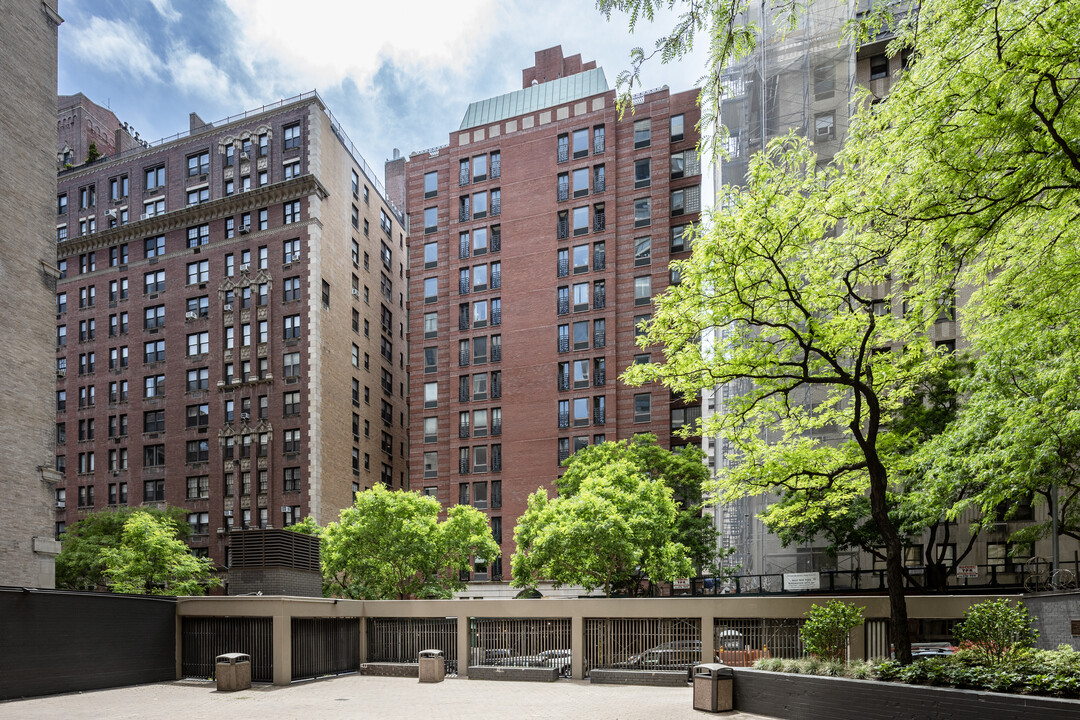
(684, 471)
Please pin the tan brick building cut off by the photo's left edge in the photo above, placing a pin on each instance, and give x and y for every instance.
(29, 277)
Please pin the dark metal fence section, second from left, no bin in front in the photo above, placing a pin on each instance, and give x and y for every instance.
(325, 646)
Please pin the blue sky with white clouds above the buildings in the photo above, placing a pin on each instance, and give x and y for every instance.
(396, 74)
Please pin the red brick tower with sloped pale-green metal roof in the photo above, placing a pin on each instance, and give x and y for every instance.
(541, 235)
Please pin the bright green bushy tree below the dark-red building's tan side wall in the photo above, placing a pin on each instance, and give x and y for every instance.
(393, 546)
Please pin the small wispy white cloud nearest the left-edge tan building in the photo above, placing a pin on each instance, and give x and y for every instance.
(114, 47)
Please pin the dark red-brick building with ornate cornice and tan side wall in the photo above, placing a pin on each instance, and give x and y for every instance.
(231, 319)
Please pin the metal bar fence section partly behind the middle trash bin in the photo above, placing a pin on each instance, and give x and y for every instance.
(401, 640)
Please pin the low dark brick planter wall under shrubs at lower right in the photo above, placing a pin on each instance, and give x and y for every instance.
(809, 698)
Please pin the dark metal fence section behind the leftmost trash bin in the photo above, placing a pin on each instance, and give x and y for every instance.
(204, 640)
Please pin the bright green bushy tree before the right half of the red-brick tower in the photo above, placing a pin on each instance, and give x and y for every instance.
(615, 526)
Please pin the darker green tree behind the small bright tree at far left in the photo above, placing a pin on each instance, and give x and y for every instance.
(80, 565)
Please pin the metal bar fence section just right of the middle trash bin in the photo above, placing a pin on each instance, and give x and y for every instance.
(521, 643)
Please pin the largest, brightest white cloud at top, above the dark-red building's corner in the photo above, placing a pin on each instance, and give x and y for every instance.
(322, 44)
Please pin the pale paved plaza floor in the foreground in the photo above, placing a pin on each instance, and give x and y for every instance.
(362, 698)
